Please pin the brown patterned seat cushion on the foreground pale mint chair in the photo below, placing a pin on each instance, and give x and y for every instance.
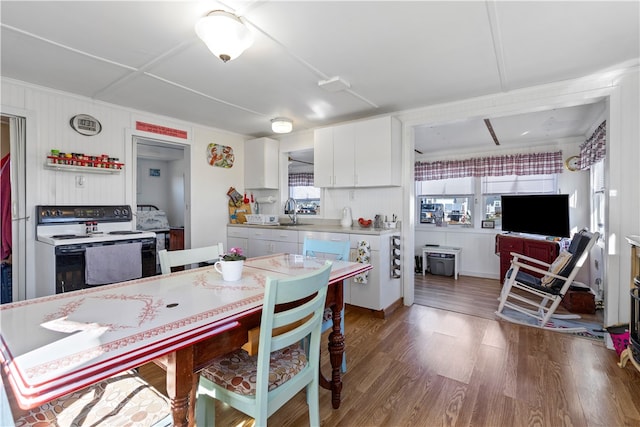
(236, 371)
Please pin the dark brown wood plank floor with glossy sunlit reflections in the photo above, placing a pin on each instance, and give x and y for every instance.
(423, 366)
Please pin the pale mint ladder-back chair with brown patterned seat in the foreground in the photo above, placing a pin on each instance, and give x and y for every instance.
(260, 385)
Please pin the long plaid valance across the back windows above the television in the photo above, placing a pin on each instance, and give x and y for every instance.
(514, 164)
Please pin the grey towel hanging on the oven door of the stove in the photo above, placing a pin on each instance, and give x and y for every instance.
(113, 263)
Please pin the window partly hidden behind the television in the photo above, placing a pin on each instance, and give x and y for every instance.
(493, 187)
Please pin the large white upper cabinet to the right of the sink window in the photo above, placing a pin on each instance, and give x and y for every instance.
(360, 154)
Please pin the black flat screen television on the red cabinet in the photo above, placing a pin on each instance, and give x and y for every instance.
(544, 214)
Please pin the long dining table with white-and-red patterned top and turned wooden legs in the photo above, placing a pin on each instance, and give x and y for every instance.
(54, 345)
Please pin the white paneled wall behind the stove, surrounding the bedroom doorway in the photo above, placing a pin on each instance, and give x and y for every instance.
(49, 112)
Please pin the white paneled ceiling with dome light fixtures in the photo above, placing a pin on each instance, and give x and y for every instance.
(396, 56)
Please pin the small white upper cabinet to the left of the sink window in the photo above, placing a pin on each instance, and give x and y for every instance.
(261, 163)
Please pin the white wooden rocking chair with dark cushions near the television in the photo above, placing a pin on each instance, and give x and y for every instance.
(535, 300)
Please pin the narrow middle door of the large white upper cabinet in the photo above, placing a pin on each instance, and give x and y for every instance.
(344, 155)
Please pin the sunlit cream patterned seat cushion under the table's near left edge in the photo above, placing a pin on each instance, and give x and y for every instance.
(122, 400)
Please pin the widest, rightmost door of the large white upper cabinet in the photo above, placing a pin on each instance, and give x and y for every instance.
(378, 151)
